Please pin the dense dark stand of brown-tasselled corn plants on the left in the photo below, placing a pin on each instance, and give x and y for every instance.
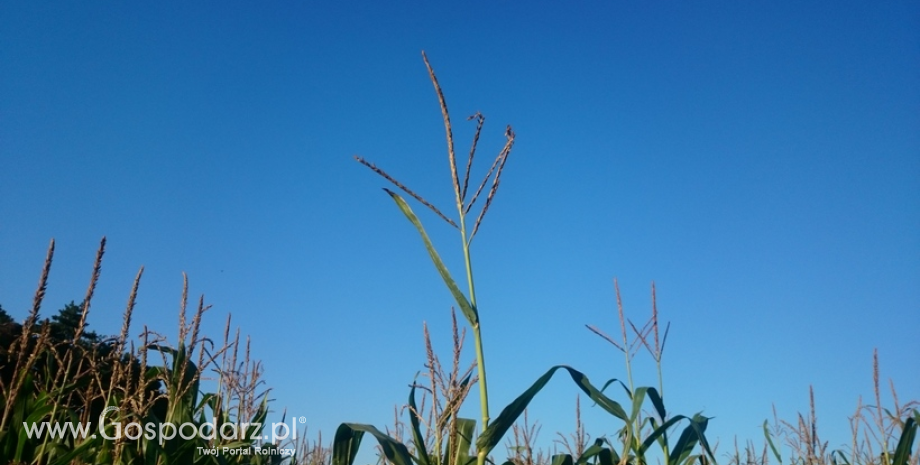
(72, 378)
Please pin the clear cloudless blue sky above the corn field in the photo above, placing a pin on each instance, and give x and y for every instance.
(760, 161)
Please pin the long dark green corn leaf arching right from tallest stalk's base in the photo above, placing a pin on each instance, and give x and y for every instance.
(496, 430)
